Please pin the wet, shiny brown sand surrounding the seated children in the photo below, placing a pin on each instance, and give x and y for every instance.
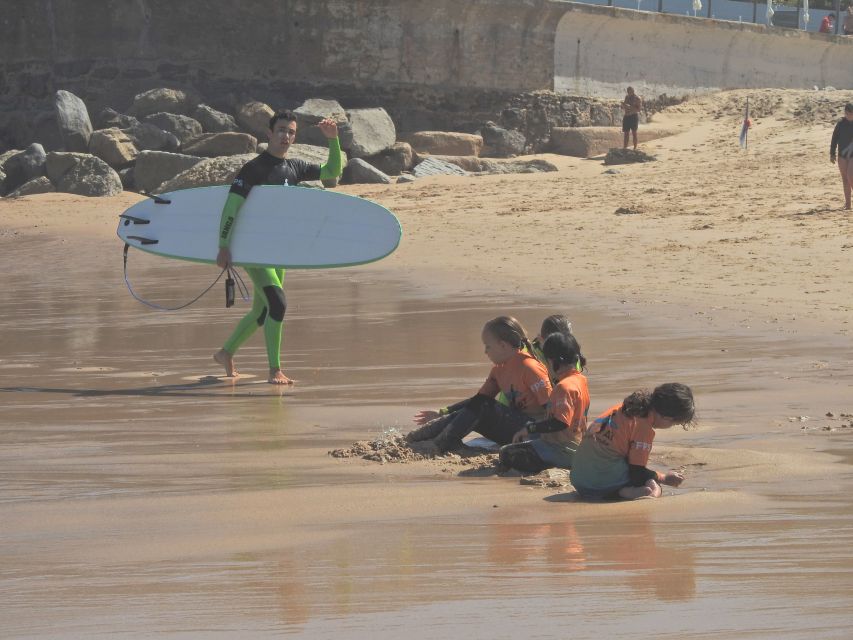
(144, 495)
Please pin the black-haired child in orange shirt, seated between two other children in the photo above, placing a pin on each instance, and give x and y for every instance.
(565, 423)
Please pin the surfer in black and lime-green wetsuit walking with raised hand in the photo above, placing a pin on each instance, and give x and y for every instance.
(268, 300)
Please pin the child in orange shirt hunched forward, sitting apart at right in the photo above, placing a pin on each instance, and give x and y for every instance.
(611, 459)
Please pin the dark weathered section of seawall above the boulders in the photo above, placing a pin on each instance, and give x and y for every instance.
(453, 44)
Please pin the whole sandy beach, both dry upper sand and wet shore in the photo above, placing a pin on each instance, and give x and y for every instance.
(144, 494)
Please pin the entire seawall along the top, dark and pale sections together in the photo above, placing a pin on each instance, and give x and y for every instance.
(442, 64)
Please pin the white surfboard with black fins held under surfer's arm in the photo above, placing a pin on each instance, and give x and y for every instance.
(290, 227)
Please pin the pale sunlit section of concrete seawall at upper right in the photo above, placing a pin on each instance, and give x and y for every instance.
(601, 50)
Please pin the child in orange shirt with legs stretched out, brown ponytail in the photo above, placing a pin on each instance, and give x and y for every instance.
(521, 377)
